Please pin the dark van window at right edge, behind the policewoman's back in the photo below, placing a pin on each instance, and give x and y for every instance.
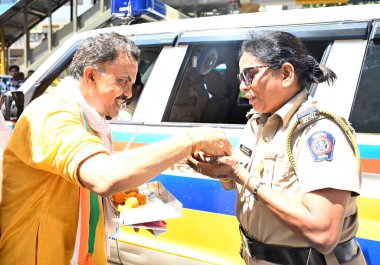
(365, 113)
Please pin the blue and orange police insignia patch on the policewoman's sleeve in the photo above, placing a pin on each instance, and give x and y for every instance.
(321, 146)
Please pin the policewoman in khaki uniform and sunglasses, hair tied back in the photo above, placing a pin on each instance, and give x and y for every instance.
(296, 169)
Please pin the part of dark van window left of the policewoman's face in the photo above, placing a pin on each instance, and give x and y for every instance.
(207, 85)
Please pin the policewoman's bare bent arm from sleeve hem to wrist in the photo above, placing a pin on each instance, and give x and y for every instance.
(318, 218)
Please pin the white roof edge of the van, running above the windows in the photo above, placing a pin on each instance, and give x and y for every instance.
(226, 23)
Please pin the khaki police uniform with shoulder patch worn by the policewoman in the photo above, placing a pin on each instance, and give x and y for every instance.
(263, 152)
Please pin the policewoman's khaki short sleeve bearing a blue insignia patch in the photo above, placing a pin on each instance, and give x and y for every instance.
(325, 159)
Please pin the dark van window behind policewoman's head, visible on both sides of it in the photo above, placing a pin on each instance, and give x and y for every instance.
(207, 89)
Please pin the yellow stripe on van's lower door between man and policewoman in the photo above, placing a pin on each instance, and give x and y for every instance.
(203, 236)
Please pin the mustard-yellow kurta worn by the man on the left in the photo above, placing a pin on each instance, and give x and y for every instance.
(39, 211)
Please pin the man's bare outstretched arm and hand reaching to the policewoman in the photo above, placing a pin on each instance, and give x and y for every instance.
(110, 174)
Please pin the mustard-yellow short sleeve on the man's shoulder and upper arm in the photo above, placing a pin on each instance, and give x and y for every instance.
(51, 137)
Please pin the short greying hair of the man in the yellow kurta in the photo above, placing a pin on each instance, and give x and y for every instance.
(99, 49)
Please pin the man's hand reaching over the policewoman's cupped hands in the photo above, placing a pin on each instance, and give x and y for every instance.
(211, 141)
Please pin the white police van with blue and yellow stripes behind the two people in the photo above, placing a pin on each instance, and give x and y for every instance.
(346, 39)
